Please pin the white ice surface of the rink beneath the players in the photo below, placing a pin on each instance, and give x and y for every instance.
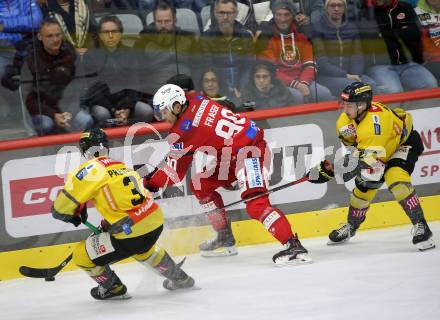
(377, 275)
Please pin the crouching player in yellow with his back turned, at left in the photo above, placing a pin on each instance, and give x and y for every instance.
(132, 221)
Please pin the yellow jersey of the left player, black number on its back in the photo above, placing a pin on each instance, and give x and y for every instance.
(117, 193)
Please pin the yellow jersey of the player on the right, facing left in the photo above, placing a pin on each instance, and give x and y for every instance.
(382, 130)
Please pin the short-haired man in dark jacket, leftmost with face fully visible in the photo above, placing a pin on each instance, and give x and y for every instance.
(54, 69)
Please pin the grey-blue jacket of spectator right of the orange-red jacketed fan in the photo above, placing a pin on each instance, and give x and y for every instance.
(338, 49)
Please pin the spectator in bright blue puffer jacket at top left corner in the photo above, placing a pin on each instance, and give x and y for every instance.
(18, 18)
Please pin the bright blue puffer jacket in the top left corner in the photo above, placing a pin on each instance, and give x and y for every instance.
(18, 17)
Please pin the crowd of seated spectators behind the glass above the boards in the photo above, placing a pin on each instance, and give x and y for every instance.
(74, 64)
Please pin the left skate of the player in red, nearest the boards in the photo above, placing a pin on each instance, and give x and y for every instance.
(221, 246)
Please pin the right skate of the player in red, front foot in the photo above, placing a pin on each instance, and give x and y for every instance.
(294, 253)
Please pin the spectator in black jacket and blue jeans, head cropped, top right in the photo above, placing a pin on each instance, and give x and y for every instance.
(399, 34)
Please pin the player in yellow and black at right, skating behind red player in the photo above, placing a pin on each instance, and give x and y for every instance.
(387, 148)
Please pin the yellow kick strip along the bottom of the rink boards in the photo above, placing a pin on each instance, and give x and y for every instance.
(184, 241)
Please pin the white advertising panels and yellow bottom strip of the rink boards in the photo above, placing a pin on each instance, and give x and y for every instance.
(32, 177)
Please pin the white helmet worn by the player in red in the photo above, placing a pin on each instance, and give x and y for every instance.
(165, 98)
